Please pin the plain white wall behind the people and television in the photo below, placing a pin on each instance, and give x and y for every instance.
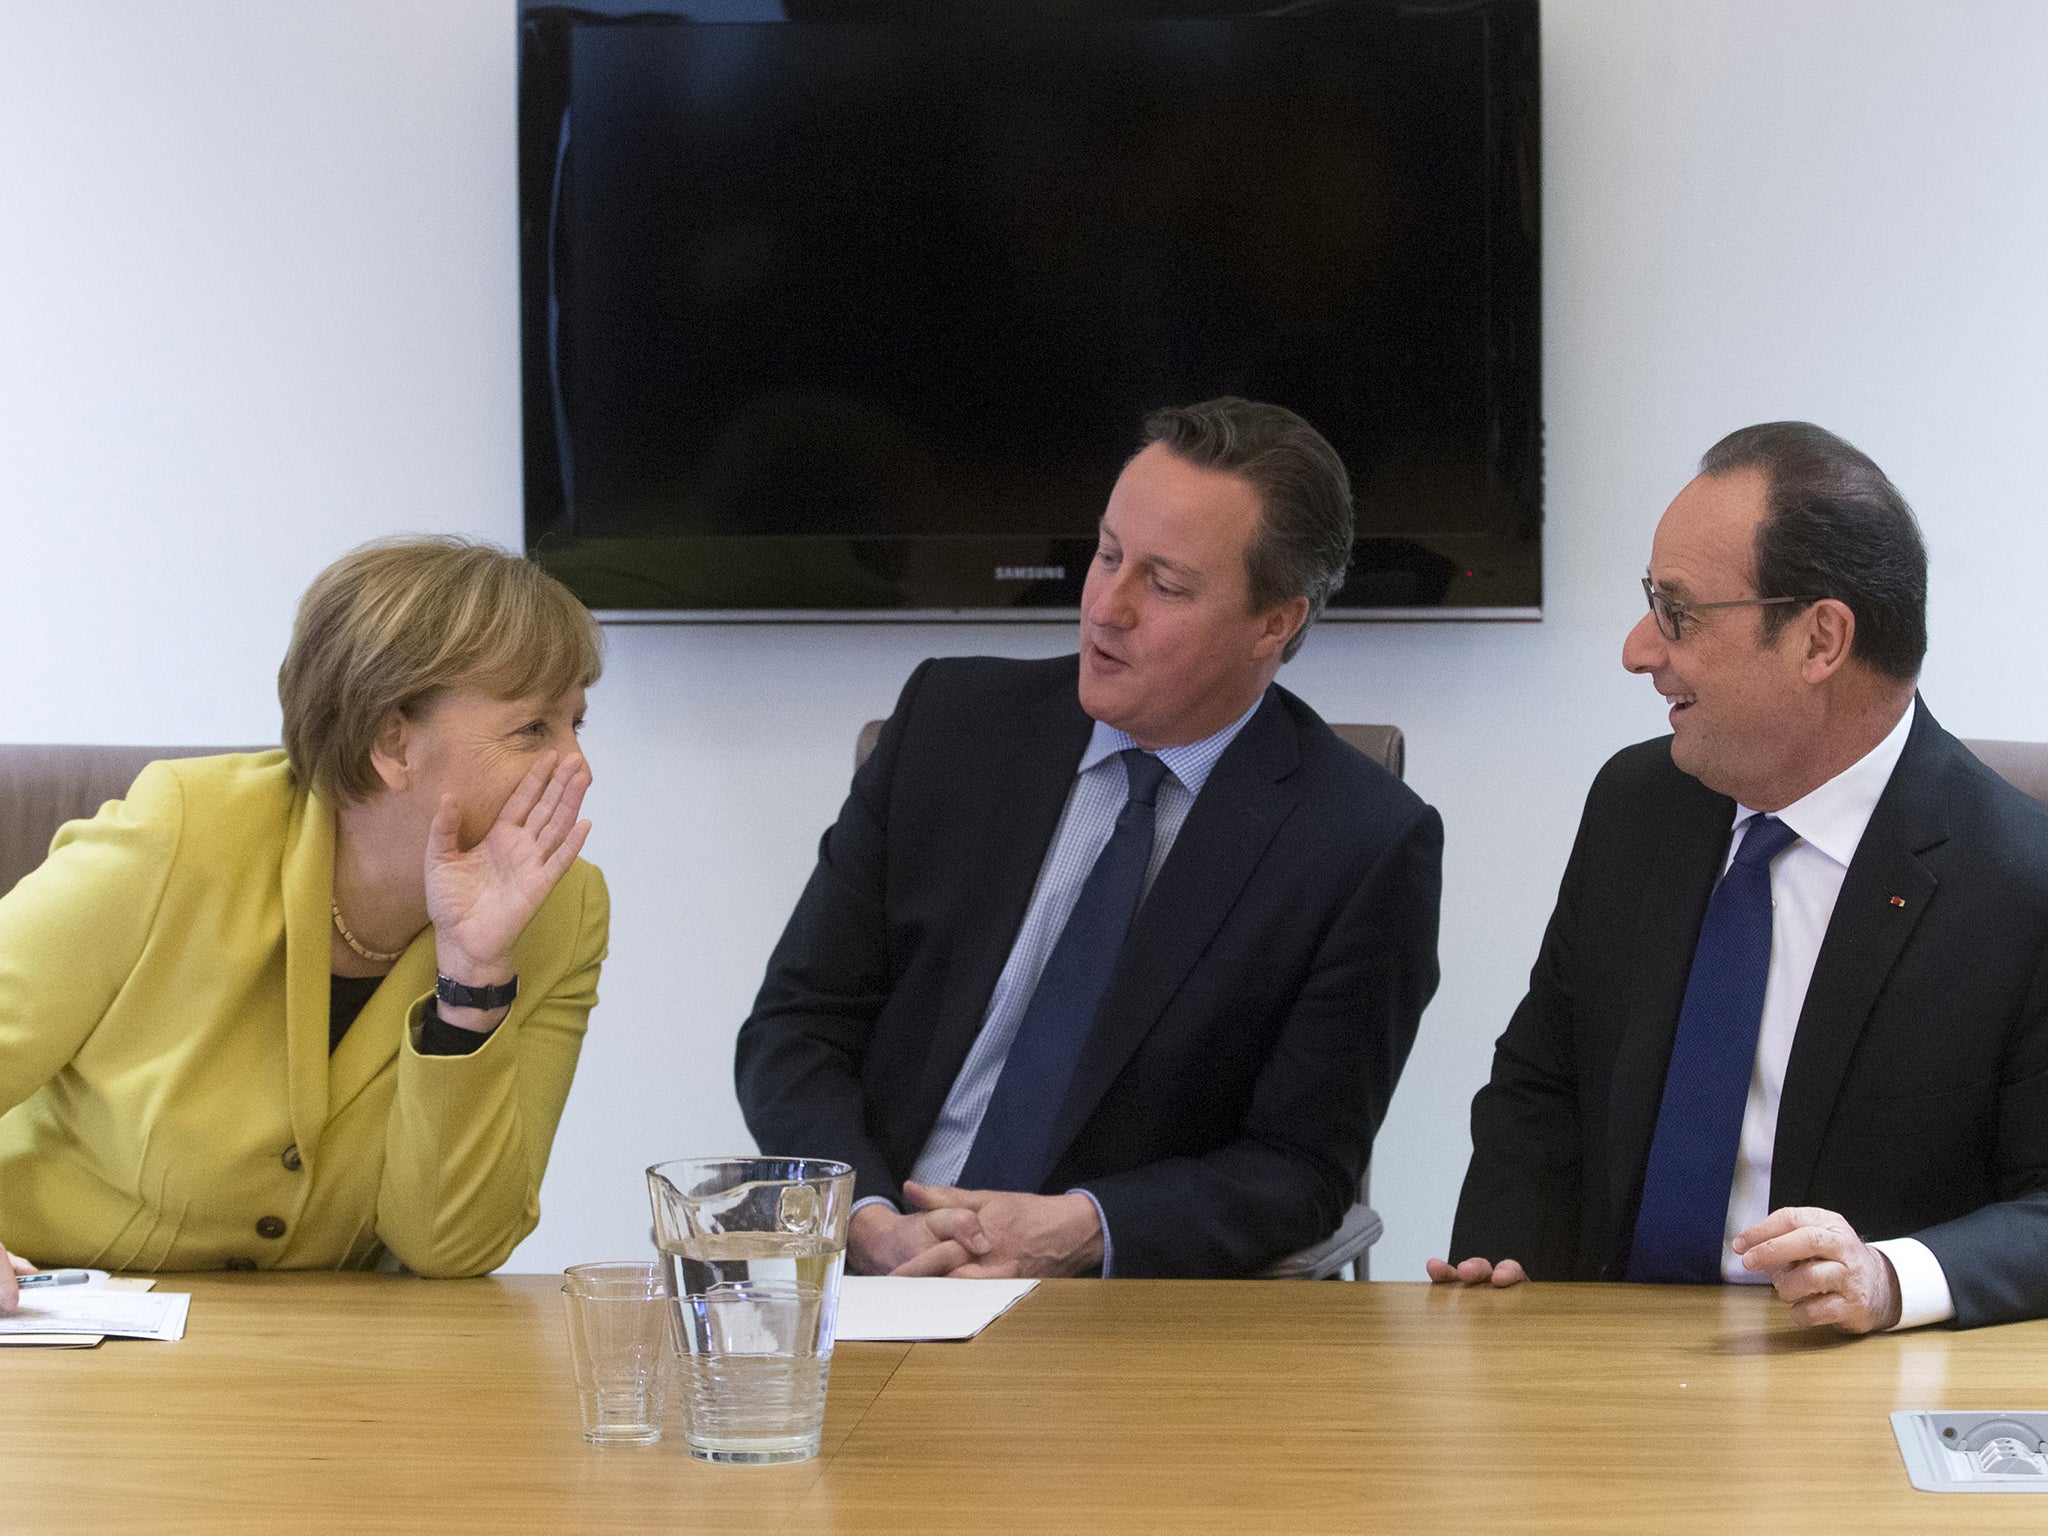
(259, 292)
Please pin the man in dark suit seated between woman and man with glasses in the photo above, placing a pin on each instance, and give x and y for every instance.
(1029, 1078)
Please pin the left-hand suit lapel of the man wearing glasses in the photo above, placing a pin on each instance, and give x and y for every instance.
(1670, 910)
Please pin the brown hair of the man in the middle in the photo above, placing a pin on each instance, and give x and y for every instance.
(1304, 542)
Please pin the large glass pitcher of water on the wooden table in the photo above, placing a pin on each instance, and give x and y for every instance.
(755, 1250)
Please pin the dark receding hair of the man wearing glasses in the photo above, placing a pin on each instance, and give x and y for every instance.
(1834, 527)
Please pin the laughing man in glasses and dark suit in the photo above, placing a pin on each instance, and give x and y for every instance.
(1791, 1015)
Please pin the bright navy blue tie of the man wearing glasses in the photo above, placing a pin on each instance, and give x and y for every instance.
(1707, 1089)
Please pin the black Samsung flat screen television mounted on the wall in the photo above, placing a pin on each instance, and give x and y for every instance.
(853, 308)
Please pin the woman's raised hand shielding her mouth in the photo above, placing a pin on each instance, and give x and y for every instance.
(480, 900)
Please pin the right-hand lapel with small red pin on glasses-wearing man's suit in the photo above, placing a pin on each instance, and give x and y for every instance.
(1865, 939)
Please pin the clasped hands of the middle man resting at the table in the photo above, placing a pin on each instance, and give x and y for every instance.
(980, 1236)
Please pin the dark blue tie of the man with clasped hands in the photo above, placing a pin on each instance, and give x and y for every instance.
(1013, 1144)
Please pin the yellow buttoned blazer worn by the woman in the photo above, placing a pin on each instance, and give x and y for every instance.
(167, 1097)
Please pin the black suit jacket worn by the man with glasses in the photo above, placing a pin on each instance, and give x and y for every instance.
(1916, 1099)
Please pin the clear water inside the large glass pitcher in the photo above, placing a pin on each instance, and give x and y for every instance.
(757, 1320)
